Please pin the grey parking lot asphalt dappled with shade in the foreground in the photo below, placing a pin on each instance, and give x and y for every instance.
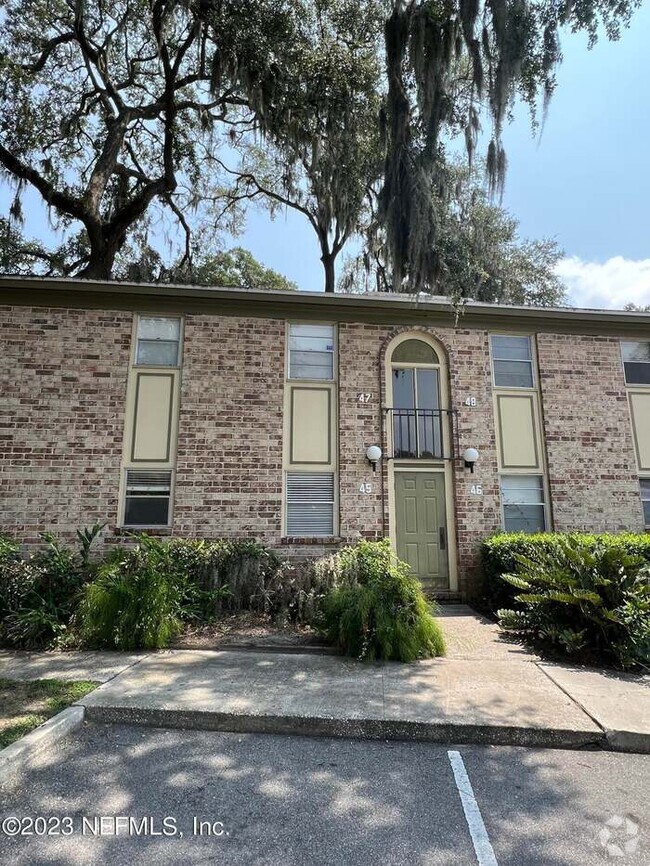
(126, 795)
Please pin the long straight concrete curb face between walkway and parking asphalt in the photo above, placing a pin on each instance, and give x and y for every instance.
(370, 729)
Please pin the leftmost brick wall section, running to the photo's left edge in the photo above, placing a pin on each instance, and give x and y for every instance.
(62, 391)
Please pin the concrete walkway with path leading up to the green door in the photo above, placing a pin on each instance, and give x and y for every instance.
(486, 690)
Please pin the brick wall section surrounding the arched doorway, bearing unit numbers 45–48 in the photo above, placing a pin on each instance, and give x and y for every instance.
(362, 356)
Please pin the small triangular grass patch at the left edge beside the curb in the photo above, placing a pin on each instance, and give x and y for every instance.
(26, 705)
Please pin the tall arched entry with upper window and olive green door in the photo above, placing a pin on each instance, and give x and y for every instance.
(420, 441)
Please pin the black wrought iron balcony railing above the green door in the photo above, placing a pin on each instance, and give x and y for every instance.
(418, 433)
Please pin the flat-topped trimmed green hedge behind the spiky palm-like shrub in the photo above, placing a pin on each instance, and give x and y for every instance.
(499, 556)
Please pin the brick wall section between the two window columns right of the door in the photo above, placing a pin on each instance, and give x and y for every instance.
(591, 465)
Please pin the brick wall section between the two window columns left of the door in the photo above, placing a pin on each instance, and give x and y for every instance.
(229, 465)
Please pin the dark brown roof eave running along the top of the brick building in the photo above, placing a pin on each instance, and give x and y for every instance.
(374, 308)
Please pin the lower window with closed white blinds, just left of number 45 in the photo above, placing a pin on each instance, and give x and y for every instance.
(310, 503)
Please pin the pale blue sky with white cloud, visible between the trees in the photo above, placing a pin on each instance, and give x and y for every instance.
(585, 183)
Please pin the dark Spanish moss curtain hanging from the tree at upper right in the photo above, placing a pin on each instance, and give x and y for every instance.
(444, 61)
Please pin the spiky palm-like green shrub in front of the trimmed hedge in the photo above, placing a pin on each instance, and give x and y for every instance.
(583, 597)
